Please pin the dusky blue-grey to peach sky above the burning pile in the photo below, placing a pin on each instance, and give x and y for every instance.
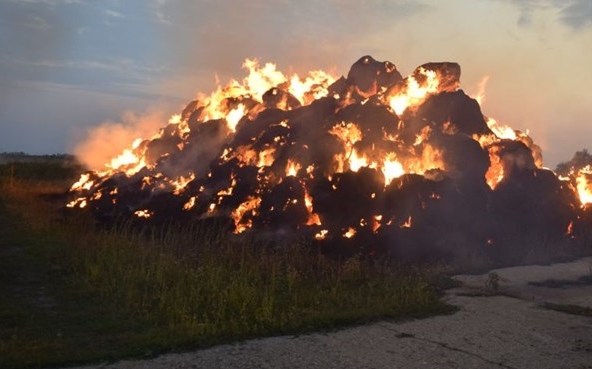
(111, 68)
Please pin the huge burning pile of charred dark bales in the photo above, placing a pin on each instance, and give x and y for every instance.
(371, 162)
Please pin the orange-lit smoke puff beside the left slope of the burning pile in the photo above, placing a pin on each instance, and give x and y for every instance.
(108, 139)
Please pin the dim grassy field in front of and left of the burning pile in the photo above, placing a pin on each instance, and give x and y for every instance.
(75, 293)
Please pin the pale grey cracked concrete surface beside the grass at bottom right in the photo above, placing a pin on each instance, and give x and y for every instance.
(505, 329)
